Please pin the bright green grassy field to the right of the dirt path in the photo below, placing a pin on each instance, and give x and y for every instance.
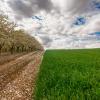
(69, 75)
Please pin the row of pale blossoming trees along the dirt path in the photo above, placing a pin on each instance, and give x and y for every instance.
(12, 40)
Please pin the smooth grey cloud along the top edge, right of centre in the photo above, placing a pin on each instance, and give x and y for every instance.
(73, 6)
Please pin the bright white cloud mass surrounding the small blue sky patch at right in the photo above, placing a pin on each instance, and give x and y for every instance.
(57, 30)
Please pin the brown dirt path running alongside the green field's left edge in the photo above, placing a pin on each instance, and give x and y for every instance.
(21, 86)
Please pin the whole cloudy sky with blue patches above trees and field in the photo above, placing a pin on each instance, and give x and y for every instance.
(57, 24)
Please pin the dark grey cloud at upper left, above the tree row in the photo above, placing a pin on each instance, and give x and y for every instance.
(22, 9)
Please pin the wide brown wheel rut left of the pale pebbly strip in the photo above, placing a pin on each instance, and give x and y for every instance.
(12, 69)
